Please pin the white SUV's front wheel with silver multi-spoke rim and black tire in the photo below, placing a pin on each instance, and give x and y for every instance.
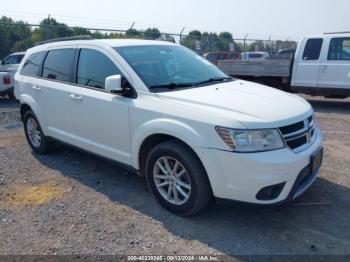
(193, 182)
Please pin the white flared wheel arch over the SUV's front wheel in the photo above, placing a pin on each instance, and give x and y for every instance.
(170, 127)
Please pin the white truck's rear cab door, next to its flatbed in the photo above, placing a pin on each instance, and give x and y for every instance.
(306, 71)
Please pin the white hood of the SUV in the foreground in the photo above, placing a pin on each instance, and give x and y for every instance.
(254, 105)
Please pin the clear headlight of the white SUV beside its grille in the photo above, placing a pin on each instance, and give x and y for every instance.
(251, 140)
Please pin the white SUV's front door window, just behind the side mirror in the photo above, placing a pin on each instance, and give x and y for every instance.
(93, 68)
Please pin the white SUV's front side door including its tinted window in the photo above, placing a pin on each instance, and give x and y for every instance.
(99, 119)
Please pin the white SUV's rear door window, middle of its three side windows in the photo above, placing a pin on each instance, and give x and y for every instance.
(58, 64)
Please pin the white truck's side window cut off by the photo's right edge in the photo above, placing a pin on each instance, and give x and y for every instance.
(339, 49)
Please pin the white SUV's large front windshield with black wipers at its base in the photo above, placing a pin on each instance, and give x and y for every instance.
(170, 66)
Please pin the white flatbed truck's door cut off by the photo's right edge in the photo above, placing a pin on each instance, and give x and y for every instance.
(335, 67)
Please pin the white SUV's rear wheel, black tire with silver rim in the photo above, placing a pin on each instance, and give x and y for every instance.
(33, 128)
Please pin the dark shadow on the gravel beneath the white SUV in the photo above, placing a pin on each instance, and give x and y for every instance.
(318, 223)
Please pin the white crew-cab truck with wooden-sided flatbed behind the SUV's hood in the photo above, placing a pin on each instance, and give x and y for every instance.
(320, 66)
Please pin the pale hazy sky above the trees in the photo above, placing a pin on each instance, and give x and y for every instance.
(260, 19)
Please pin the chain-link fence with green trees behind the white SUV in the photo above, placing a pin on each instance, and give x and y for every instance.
(16, 37)
